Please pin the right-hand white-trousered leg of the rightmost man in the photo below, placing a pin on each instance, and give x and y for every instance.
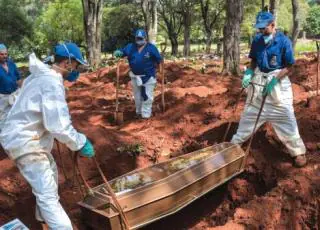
(285, 125)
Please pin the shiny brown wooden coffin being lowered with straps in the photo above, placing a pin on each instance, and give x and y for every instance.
(151, 193)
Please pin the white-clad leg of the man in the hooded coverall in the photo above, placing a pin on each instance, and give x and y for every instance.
(40, 171)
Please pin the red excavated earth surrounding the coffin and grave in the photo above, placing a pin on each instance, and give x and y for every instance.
(269, 194)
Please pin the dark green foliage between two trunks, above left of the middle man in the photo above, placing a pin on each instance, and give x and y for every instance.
(119, 25)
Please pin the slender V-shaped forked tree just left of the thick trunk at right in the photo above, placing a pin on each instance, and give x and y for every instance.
(211, 12)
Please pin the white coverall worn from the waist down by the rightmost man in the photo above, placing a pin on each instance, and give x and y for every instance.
(278, 110)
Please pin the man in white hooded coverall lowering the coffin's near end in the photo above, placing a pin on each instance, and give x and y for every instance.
(40, 115)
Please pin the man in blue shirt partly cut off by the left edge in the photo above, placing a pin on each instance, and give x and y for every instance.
(9, 83)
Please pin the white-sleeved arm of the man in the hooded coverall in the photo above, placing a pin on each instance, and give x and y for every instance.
(56, 118)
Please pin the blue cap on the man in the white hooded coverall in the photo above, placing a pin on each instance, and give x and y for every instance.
(70, 50)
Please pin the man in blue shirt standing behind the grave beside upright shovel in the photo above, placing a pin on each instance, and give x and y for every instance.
(143, 60)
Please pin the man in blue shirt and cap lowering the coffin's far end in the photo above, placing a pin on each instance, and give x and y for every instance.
(271, 60)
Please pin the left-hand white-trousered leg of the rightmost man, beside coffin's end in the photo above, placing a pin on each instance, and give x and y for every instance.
(246, 124)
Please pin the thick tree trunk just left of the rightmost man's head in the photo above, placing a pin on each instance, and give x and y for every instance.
(231, 34)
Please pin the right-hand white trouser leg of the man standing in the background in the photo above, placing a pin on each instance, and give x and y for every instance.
(147, 100)
